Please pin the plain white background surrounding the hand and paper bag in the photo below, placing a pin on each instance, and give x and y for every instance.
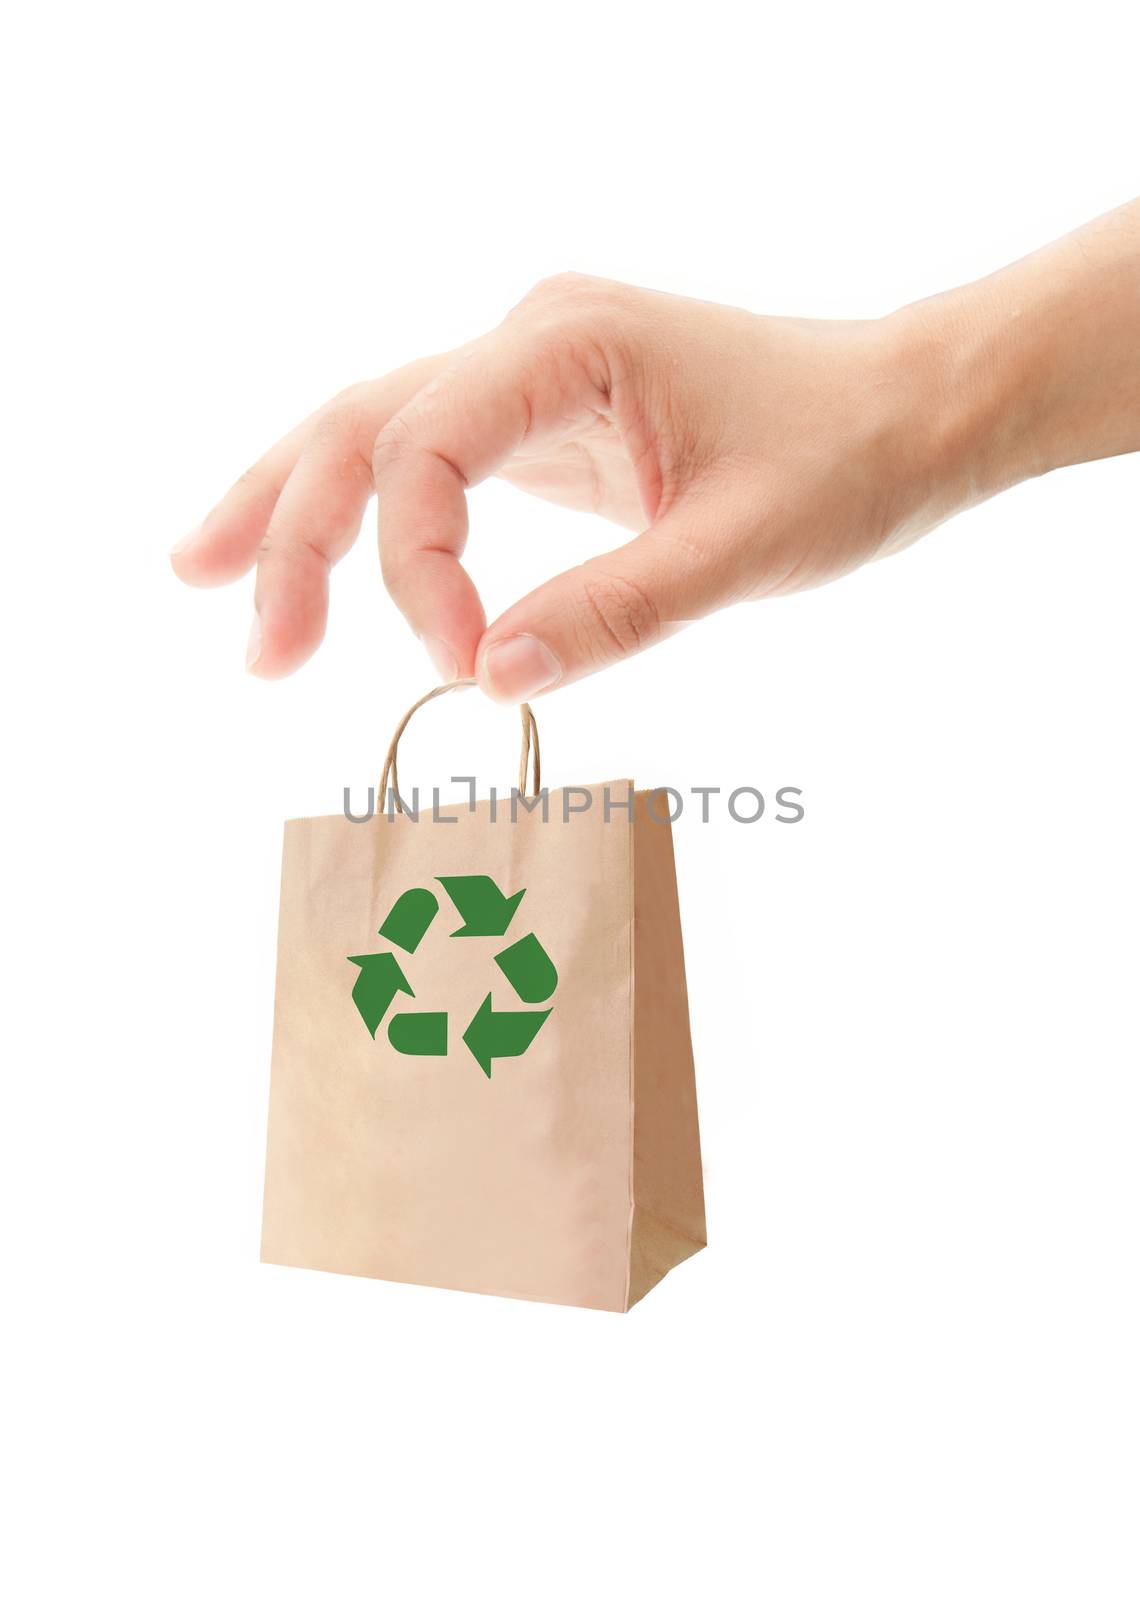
(907, 1364)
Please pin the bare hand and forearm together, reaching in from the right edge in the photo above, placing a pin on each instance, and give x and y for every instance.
(749, 457)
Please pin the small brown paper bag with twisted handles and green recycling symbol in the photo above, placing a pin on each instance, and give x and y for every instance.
(483, 1074)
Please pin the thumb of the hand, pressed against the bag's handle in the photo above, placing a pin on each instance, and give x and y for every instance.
(604, 610)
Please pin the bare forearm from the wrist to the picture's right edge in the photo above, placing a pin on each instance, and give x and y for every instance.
(1037, 367)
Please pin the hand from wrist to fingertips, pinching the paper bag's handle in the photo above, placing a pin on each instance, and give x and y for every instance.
(758, 455)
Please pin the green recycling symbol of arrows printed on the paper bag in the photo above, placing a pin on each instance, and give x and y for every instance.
(486, 914)
